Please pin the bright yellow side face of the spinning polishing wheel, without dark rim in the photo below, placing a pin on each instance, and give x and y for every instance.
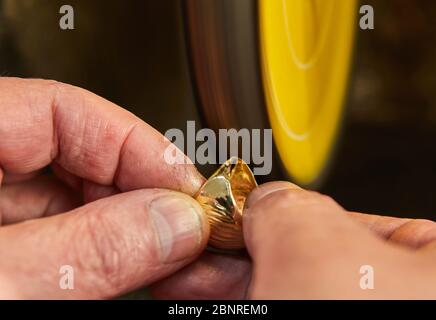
(306, 49)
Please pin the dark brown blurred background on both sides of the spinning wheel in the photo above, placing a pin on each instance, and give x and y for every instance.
(134, 53)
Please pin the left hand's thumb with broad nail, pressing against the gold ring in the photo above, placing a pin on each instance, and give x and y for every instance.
(114, 245)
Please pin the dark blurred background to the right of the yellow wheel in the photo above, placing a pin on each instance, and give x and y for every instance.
(387, 158)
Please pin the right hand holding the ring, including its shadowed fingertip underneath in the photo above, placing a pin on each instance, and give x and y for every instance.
(303, 245)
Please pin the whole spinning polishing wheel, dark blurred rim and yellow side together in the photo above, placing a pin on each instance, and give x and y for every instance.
(282, 64)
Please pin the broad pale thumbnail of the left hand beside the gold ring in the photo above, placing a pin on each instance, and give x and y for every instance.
(178, 225)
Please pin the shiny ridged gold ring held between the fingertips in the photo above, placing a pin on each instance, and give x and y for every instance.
(222, 197)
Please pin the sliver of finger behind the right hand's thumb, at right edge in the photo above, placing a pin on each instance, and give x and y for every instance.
(413, 233)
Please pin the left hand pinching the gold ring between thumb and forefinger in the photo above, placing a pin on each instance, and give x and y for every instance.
(129, 233)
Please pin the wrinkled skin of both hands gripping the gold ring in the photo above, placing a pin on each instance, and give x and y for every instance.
(111, 211)
